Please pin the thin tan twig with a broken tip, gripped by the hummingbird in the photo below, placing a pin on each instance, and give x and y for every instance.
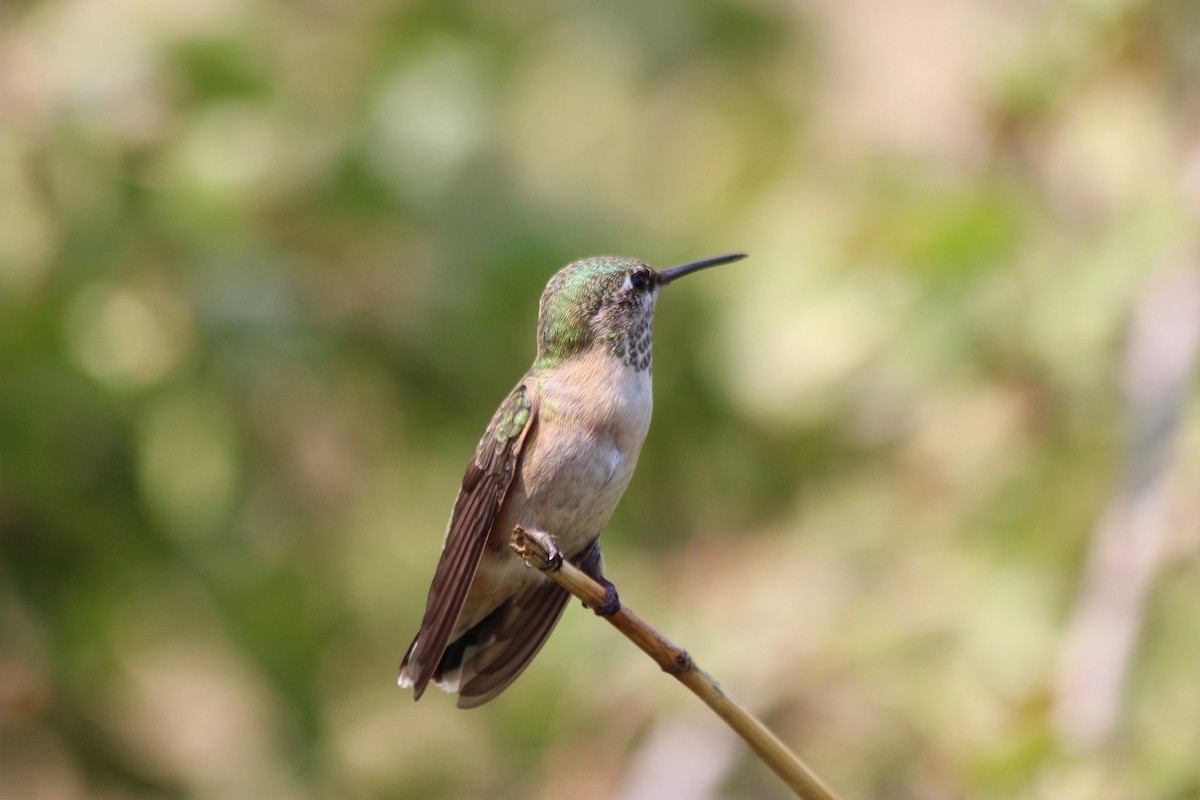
(675, 661)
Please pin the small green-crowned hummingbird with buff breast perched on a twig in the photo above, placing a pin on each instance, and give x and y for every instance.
(556, 460)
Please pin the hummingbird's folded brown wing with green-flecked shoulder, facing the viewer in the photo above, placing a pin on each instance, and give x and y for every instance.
(484, 488)
